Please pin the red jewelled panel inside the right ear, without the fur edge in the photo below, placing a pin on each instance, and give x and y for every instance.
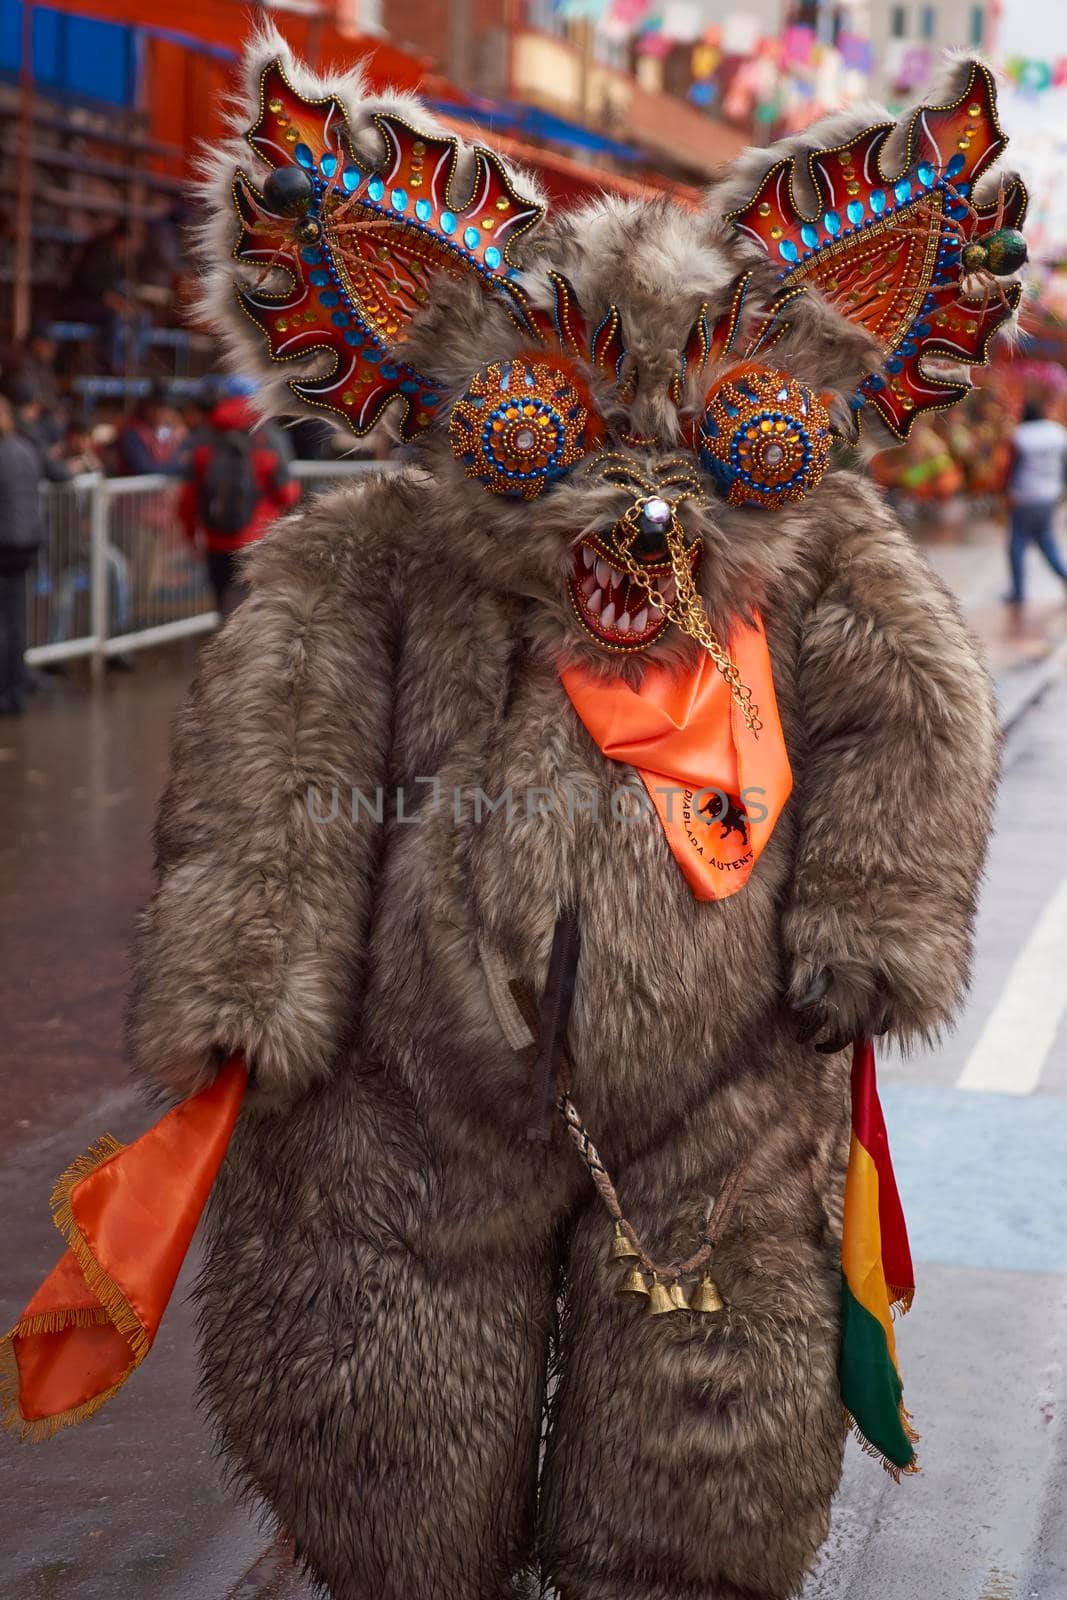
(908, 257)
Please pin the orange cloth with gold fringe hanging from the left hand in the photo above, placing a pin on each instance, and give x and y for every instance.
(129, 1215)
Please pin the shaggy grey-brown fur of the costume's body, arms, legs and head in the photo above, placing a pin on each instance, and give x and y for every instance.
(393, 1270)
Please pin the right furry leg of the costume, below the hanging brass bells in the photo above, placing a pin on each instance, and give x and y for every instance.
(697, 1455)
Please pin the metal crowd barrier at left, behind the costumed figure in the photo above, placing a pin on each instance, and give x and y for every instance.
(116, 572)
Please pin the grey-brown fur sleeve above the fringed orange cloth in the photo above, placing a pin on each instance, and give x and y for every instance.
(255, 935)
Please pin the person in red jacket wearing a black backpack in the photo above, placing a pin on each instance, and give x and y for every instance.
(236, 484)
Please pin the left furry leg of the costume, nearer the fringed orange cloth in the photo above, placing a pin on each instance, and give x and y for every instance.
(375, 1329)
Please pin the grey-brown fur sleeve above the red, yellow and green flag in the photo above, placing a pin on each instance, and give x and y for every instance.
(897, 788)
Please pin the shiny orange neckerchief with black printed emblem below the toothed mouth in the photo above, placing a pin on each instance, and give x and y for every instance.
(684, 734)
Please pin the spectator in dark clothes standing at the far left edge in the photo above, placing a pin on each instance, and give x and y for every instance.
(20, 540)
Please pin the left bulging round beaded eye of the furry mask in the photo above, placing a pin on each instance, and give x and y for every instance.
(521, 426)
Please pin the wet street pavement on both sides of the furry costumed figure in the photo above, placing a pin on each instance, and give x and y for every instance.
(132, 1505)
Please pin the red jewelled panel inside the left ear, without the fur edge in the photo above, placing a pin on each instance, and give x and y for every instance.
(362, 249)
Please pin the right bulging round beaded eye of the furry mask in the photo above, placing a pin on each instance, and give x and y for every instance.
(765, 438)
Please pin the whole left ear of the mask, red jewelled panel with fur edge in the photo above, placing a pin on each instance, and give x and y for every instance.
(343, 212)
